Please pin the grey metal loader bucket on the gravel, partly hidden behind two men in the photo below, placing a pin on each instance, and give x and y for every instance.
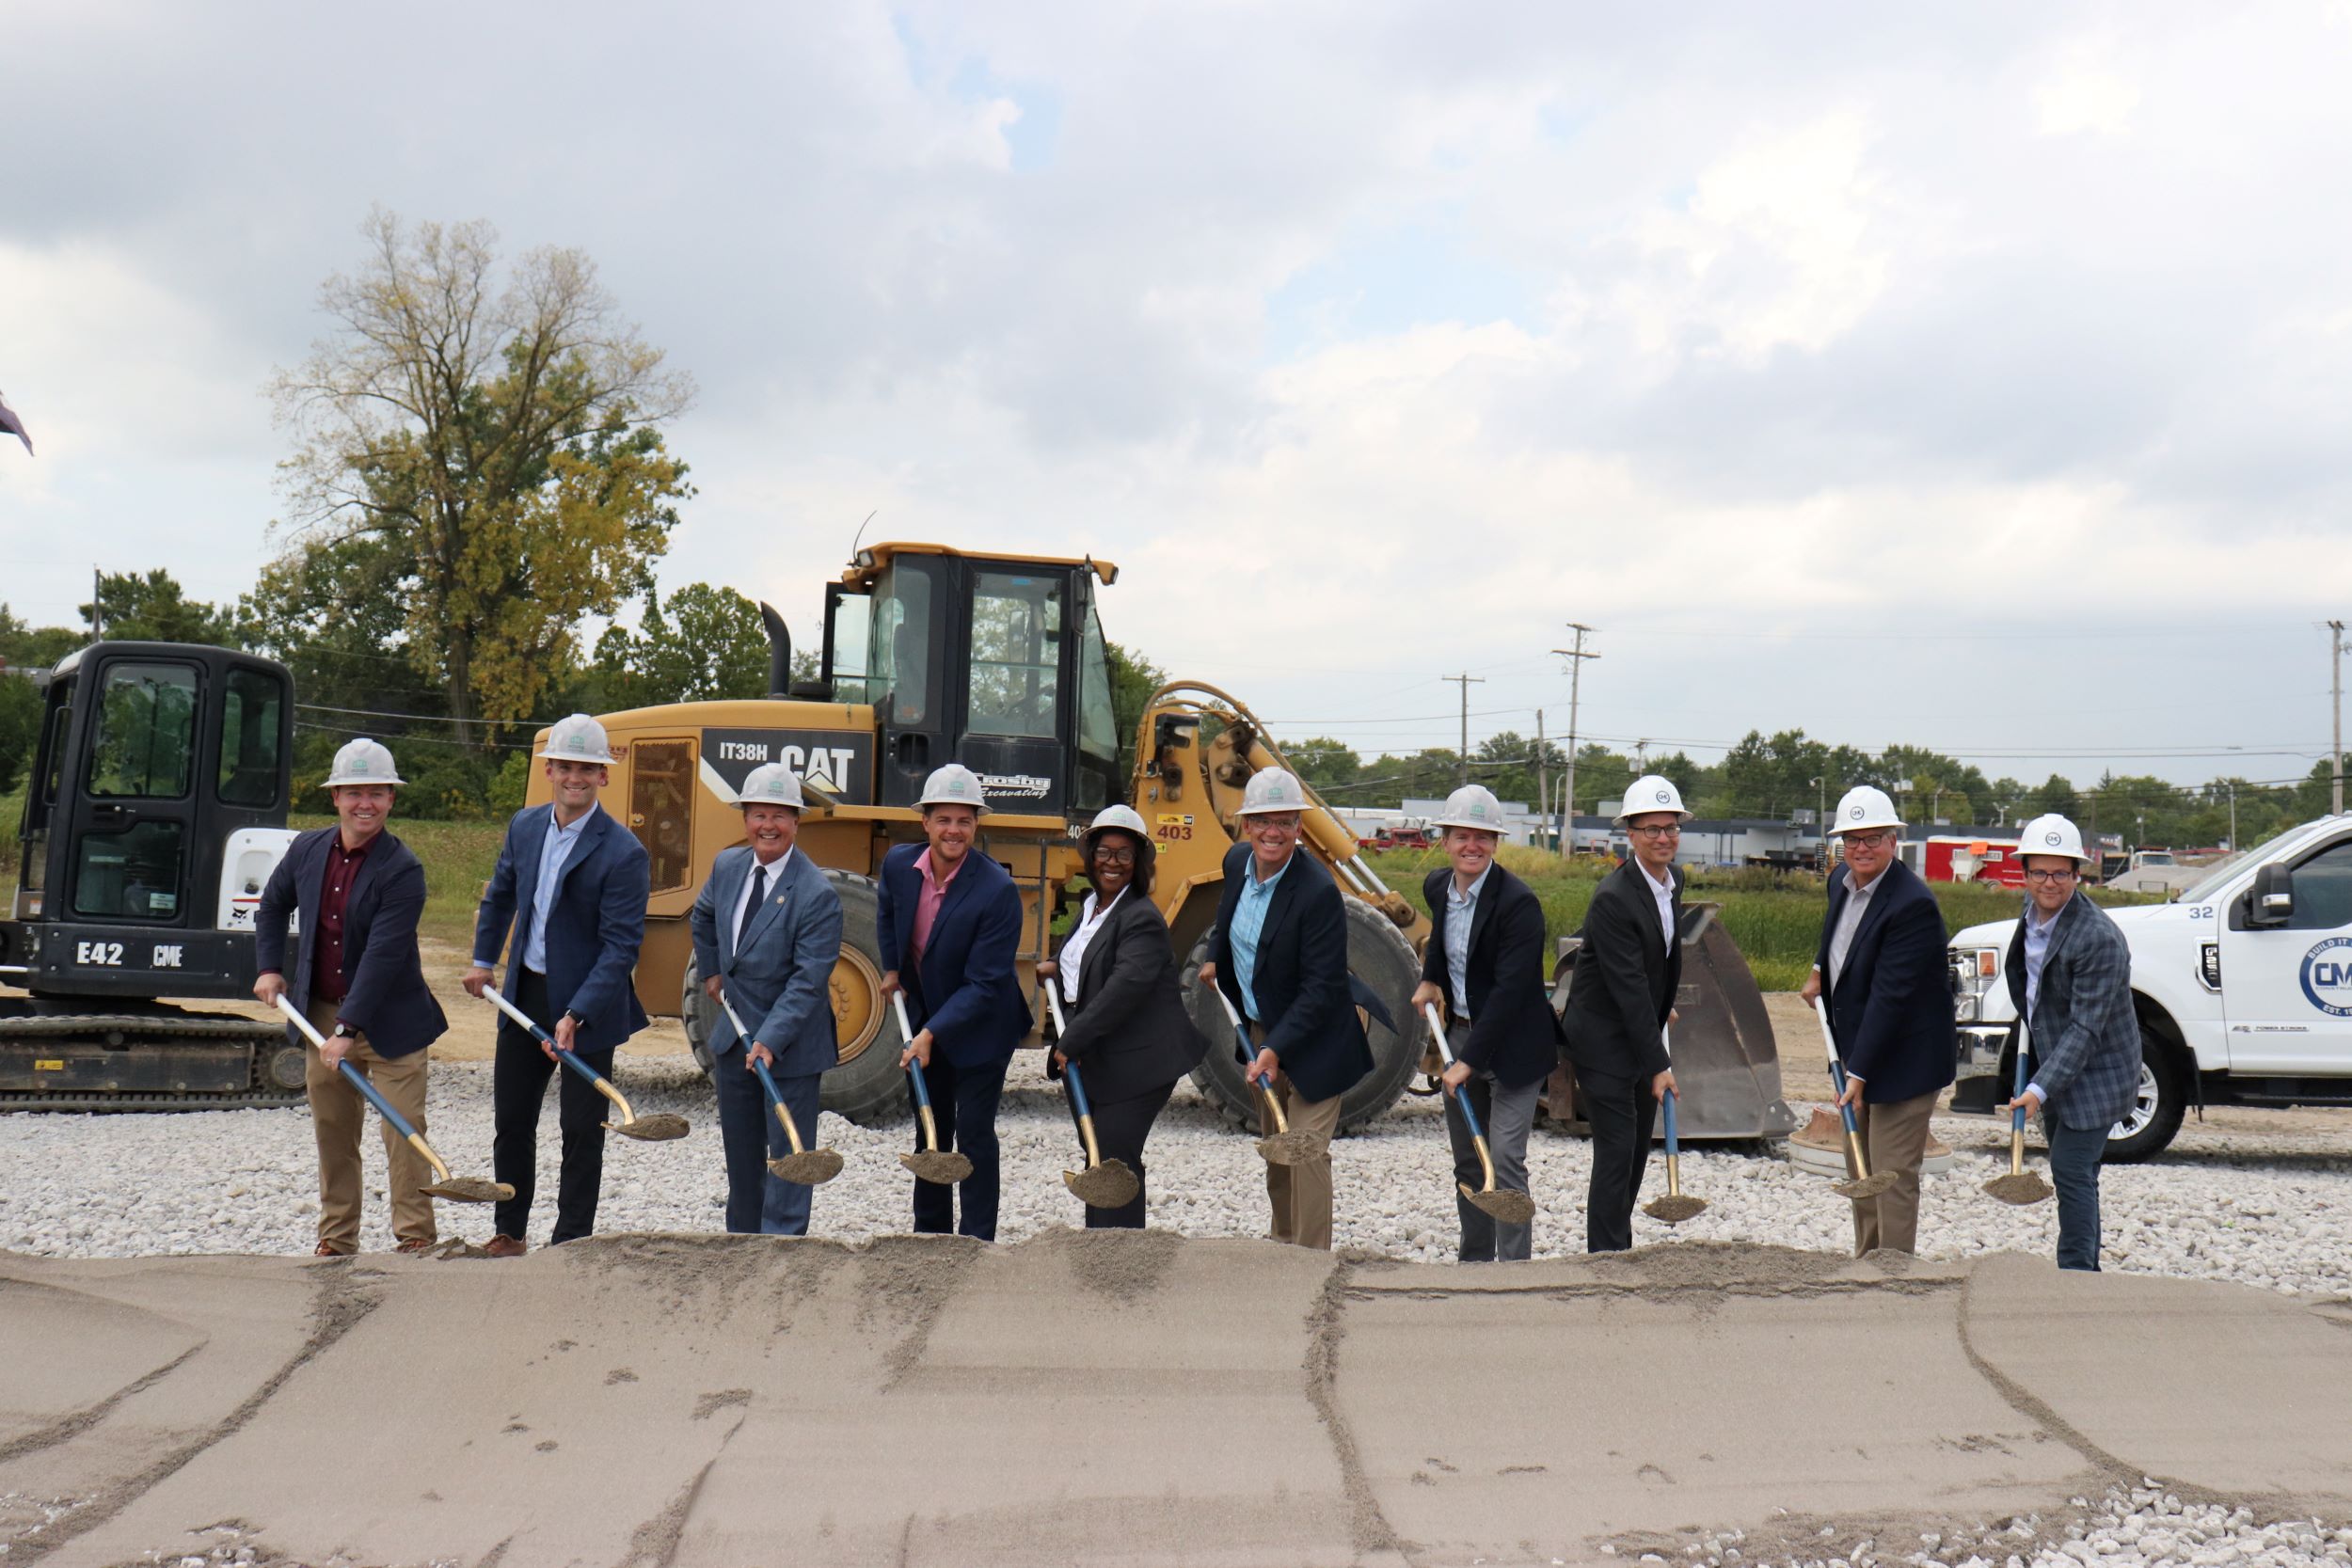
(1728, 1068)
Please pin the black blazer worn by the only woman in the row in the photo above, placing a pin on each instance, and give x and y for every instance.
(1128, 1026)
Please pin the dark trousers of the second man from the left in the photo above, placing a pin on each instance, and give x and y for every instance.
(519, 1090)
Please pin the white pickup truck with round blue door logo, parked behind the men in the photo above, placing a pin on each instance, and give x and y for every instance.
(2243, 986)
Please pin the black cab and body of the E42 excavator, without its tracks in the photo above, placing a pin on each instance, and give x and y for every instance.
(161, 772)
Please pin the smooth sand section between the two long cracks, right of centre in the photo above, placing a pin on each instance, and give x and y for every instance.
(1539, 1409)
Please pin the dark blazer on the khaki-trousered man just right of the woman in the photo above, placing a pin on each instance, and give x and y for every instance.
(1299, 979)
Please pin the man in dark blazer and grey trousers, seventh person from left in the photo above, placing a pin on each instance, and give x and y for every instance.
(1485, 972)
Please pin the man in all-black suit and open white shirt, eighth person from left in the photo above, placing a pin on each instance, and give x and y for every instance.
(1622, 996)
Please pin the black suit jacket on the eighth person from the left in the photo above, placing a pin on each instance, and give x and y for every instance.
(1624, 981)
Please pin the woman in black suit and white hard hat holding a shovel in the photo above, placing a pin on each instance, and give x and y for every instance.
(1118, 984)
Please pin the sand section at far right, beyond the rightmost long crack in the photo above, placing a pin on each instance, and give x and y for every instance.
(2212, 1386)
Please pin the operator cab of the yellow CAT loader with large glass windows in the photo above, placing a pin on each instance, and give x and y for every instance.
(982, 659)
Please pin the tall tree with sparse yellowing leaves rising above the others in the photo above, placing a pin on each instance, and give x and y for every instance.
(500, 436)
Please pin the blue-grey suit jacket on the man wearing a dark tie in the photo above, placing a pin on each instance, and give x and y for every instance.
(780, 977)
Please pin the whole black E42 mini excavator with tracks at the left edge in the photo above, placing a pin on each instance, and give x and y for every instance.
(156, 812)
